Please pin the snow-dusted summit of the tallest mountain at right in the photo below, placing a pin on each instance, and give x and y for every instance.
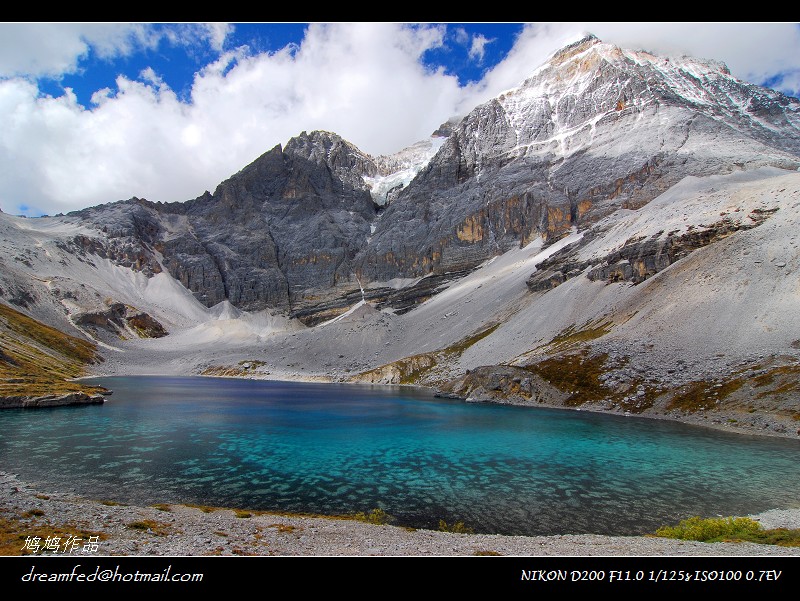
(559, 107)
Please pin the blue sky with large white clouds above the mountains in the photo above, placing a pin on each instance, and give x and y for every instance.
(99, 112)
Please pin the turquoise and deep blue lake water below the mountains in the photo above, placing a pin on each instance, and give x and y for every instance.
(335, 449)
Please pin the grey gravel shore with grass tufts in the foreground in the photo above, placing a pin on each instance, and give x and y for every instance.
(179, 530)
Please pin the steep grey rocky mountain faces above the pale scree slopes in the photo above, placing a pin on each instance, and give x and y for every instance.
(595, 129)
